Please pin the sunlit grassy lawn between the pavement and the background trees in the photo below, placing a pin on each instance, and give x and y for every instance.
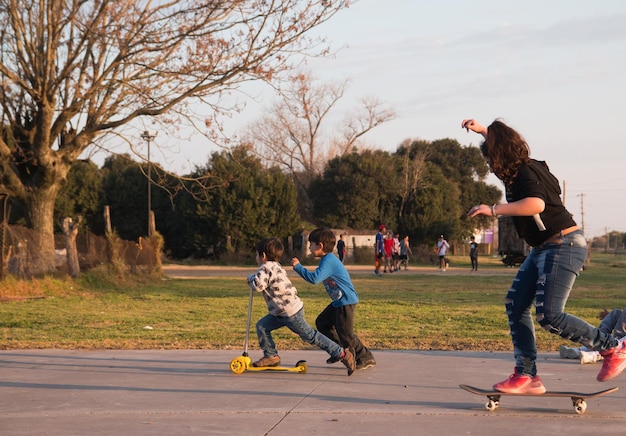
(398, 311)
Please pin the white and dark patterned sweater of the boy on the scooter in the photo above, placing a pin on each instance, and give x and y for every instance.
(281, 296)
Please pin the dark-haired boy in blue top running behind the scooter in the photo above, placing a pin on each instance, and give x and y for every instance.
(337, 320)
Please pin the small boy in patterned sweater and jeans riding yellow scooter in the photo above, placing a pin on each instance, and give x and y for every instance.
(285, 308)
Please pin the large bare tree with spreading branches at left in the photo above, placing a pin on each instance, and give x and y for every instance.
(74, 70)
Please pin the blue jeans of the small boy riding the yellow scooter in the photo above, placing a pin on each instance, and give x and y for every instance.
(297, 324)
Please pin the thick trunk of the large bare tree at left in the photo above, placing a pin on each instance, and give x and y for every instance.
(40, 208)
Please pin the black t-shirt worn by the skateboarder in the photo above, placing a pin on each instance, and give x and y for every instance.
(536, 180)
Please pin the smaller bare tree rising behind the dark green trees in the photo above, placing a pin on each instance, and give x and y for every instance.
(296, 133)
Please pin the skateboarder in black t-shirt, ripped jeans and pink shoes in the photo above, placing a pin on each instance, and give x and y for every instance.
(545, 279)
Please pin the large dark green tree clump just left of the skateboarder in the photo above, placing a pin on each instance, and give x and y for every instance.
(422, 190)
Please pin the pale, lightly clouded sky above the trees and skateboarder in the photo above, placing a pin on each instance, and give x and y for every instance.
(553, 70)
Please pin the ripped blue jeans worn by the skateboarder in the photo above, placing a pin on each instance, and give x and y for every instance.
(546, 277)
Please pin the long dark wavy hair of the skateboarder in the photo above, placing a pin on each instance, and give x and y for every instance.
(505, 150)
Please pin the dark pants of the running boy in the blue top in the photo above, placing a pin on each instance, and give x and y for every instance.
(337, 324)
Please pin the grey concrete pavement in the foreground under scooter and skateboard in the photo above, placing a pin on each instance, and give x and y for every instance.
(180, 392)
